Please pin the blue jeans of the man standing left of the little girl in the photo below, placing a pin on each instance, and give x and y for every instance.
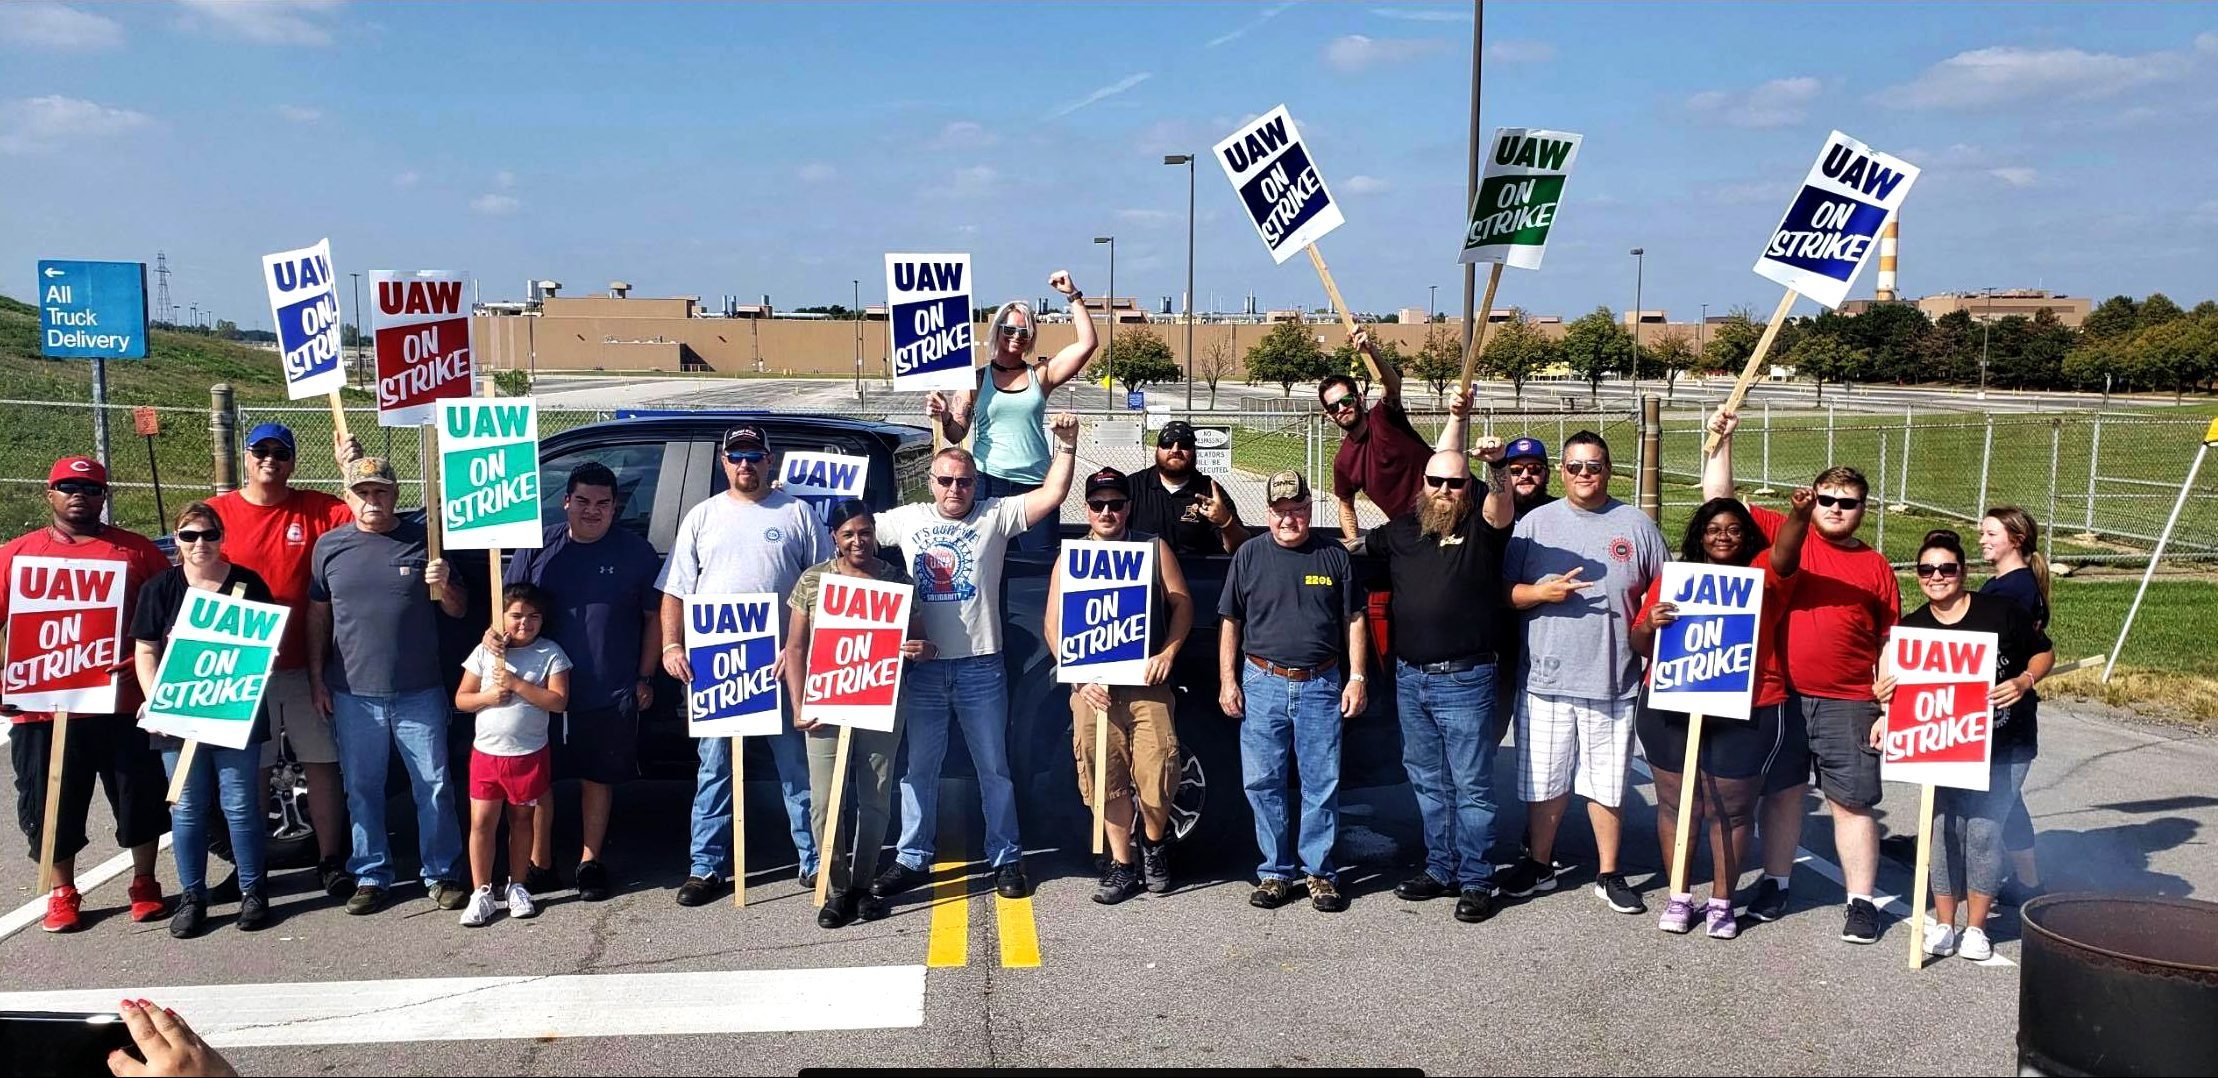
(369, 729)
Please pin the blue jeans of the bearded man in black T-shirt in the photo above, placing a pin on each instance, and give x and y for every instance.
(1449, 755)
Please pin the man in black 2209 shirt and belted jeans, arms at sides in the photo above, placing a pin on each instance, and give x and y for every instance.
(1292, 616)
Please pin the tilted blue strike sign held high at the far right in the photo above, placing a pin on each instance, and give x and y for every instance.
(1835, 218)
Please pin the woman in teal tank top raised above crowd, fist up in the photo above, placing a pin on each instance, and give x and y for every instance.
(1008, 414)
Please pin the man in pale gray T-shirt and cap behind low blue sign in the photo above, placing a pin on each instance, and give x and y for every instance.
(746, 540)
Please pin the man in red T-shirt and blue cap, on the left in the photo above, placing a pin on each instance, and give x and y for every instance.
(272, 527)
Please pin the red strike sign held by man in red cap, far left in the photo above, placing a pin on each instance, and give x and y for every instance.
(65, 631)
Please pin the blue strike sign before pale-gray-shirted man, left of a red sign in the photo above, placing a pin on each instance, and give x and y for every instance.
(733, 653)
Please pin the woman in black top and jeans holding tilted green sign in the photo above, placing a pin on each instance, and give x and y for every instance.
(223, 780)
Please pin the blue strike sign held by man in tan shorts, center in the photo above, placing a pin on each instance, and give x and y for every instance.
(1103, 620)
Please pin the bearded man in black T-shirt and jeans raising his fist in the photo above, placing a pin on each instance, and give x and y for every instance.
(1445, 562)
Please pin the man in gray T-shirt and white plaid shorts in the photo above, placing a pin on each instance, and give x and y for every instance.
(1578, 571)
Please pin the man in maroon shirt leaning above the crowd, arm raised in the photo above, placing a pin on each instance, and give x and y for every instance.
(1383, 456)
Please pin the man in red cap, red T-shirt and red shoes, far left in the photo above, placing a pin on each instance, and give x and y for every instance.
(101, 746)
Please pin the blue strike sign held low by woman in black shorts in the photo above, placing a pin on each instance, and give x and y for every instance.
(1707, 662)
